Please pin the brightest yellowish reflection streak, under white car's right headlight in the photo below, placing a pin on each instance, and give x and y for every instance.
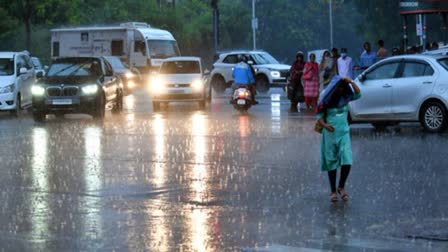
(198, 217)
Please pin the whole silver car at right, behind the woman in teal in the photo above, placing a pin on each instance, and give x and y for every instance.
(404, 89)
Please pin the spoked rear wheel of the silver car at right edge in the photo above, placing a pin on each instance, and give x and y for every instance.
(433, 117)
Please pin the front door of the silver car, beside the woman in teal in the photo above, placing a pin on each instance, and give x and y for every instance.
(376, 88)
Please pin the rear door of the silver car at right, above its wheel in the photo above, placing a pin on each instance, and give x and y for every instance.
(416, 82)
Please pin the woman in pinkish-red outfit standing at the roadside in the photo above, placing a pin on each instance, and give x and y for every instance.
(311, 82)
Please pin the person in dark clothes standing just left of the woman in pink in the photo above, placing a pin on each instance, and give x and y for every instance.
(295, 88)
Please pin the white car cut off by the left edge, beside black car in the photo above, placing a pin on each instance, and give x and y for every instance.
(17, 76)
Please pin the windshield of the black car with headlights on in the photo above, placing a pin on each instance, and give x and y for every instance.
(89, 67)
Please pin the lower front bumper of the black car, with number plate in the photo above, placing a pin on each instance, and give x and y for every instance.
(83, 104)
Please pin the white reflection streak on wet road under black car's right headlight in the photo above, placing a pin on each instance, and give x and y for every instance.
(93, 180)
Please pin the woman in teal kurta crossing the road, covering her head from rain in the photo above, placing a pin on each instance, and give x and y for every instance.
(336, 150)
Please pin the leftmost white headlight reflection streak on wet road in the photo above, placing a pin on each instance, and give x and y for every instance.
(39, 174)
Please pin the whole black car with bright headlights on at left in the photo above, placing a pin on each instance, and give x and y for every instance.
(78, 85)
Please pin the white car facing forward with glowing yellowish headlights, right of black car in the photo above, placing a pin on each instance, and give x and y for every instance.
(180, 79)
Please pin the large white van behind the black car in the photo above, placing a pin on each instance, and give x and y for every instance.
(138, 44)
